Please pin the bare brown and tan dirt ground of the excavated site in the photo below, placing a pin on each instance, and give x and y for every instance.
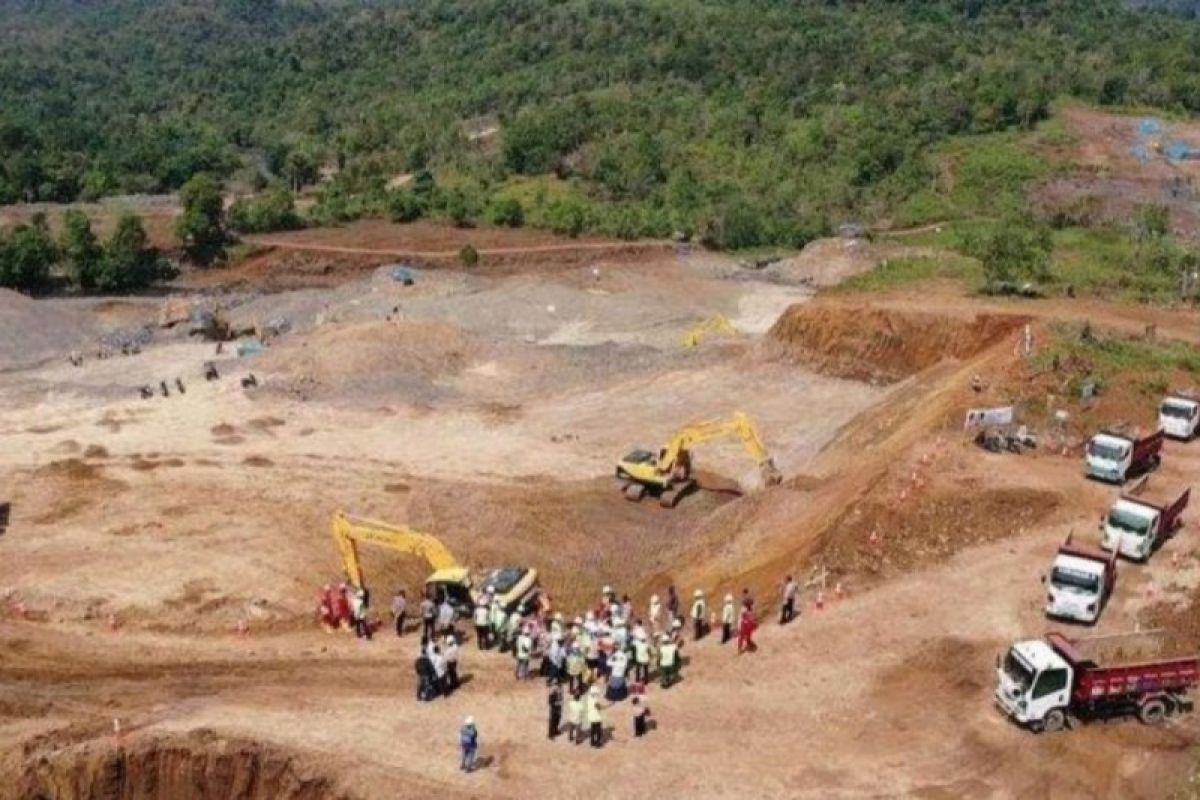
(164, 555)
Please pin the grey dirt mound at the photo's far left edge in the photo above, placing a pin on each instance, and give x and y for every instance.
(35, 330)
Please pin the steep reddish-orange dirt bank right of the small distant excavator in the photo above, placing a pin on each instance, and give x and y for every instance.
(877, 345)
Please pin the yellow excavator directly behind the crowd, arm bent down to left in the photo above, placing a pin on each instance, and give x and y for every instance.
(512, 586)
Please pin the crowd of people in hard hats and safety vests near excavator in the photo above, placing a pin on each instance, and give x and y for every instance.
(591, 663)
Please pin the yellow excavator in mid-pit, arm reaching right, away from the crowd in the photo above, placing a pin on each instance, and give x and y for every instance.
(669, 474)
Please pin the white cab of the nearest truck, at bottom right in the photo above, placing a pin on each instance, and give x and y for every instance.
(1034, 685)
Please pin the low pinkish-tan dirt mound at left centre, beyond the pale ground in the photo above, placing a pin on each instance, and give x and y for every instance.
(381, 362)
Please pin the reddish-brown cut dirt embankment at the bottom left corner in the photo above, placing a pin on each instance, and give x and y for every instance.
(197, 767)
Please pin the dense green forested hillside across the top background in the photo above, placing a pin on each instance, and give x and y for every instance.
(748, 122)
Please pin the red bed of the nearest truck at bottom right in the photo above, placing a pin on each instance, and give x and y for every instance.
(1097, 683)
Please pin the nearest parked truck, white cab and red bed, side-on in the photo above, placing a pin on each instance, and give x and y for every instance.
(1045, 683)
